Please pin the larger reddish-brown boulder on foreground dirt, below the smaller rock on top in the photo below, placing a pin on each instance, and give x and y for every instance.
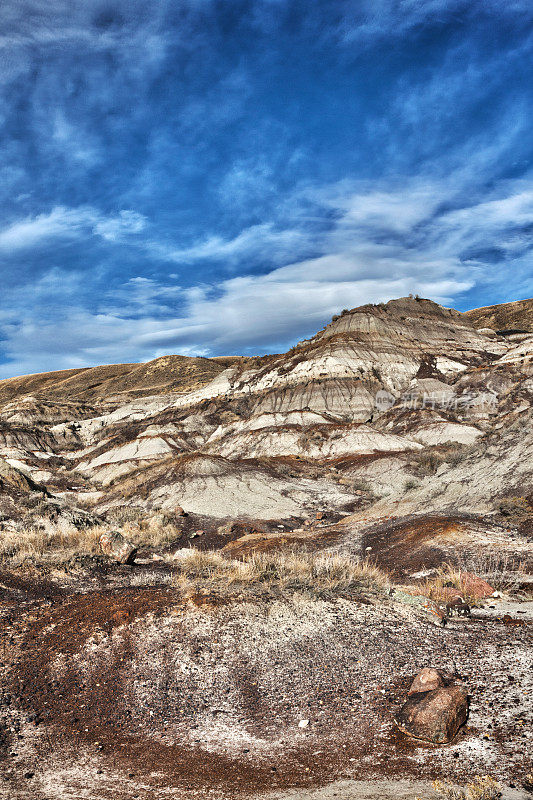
(434, 716)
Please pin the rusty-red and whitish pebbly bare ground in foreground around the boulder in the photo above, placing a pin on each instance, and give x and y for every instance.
(114, 691)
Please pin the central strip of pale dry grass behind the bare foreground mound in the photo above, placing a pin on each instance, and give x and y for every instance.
(319, 574)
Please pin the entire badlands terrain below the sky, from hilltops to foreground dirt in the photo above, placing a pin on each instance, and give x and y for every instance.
(220, 577)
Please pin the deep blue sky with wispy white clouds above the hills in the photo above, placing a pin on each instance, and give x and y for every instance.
(212, 177)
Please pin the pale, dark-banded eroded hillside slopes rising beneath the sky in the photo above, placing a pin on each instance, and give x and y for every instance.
(216, 436)
